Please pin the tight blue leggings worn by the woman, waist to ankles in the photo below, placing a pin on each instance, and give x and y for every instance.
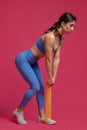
(27, 65)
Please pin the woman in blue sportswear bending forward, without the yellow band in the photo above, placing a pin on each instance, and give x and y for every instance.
(26, 62)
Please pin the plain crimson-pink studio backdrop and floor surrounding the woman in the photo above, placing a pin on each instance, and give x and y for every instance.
(21, 23)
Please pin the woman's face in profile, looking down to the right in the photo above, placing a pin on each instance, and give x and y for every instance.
(68, 27)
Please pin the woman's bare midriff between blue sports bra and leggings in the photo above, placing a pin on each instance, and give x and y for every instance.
(36, 51)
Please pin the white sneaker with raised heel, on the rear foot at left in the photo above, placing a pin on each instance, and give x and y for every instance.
(20, 117)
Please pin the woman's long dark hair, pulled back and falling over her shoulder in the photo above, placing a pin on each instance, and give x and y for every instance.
(66, 17)
